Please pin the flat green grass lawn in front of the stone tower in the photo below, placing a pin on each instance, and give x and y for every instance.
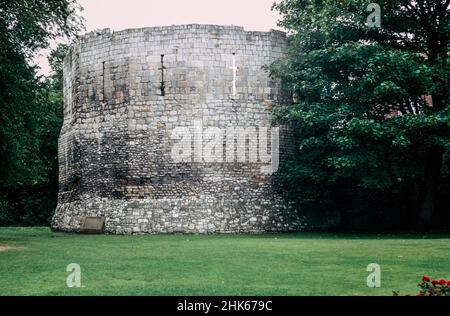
(33, 262)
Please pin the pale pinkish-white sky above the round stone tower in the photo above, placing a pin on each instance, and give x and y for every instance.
(253, 15)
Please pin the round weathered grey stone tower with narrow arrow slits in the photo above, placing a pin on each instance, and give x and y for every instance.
(168, 130)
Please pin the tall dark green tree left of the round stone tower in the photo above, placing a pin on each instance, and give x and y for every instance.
(25, 27)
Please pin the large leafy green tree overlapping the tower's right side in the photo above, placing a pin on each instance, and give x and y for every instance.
(372, 105)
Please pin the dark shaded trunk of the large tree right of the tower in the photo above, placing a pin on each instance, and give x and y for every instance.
(432, 172)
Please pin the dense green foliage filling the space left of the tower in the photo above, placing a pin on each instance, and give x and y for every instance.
(30, 108)
